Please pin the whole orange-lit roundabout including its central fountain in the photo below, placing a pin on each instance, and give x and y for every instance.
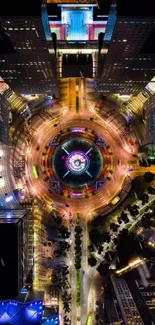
(78, 165)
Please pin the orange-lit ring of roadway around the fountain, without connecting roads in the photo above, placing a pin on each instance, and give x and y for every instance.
(45, 132)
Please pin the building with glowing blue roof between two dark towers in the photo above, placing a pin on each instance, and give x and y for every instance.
(77, 28)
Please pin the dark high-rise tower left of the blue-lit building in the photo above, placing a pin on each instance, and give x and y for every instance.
(27, 63)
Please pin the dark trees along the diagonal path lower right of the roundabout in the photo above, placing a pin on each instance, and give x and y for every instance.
(126, 244)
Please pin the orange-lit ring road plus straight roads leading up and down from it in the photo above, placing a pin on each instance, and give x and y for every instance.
(42, 130)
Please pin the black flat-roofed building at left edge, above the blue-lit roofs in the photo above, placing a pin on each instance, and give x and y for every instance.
(11, 249)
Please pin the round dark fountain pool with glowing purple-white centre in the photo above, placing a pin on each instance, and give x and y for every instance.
(77, 163)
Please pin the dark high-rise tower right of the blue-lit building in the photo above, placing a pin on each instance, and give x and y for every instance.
(129, 38)
